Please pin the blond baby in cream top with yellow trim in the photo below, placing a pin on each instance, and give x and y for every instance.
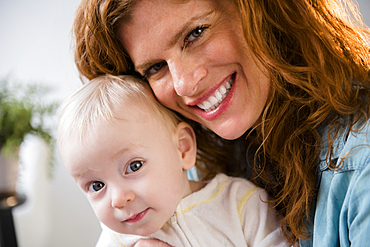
(130, 156)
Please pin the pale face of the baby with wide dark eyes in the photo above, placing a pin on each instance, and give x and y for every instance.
(131, 171)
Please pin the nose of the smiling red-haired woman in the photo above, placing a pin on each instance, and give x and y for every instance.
(186, 76)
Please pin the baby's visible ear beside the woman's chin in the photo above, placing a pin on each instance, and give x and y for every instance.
(187, 144)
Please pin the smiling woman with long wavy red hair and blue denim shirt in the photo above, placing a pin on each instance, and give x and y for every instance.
(290, 77)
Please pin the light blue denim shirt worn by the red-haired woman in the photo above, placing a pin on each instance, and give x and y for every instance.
(341, 214)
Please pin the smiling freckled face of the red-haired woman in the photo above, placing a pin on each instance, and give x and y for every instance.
(195, 58)
